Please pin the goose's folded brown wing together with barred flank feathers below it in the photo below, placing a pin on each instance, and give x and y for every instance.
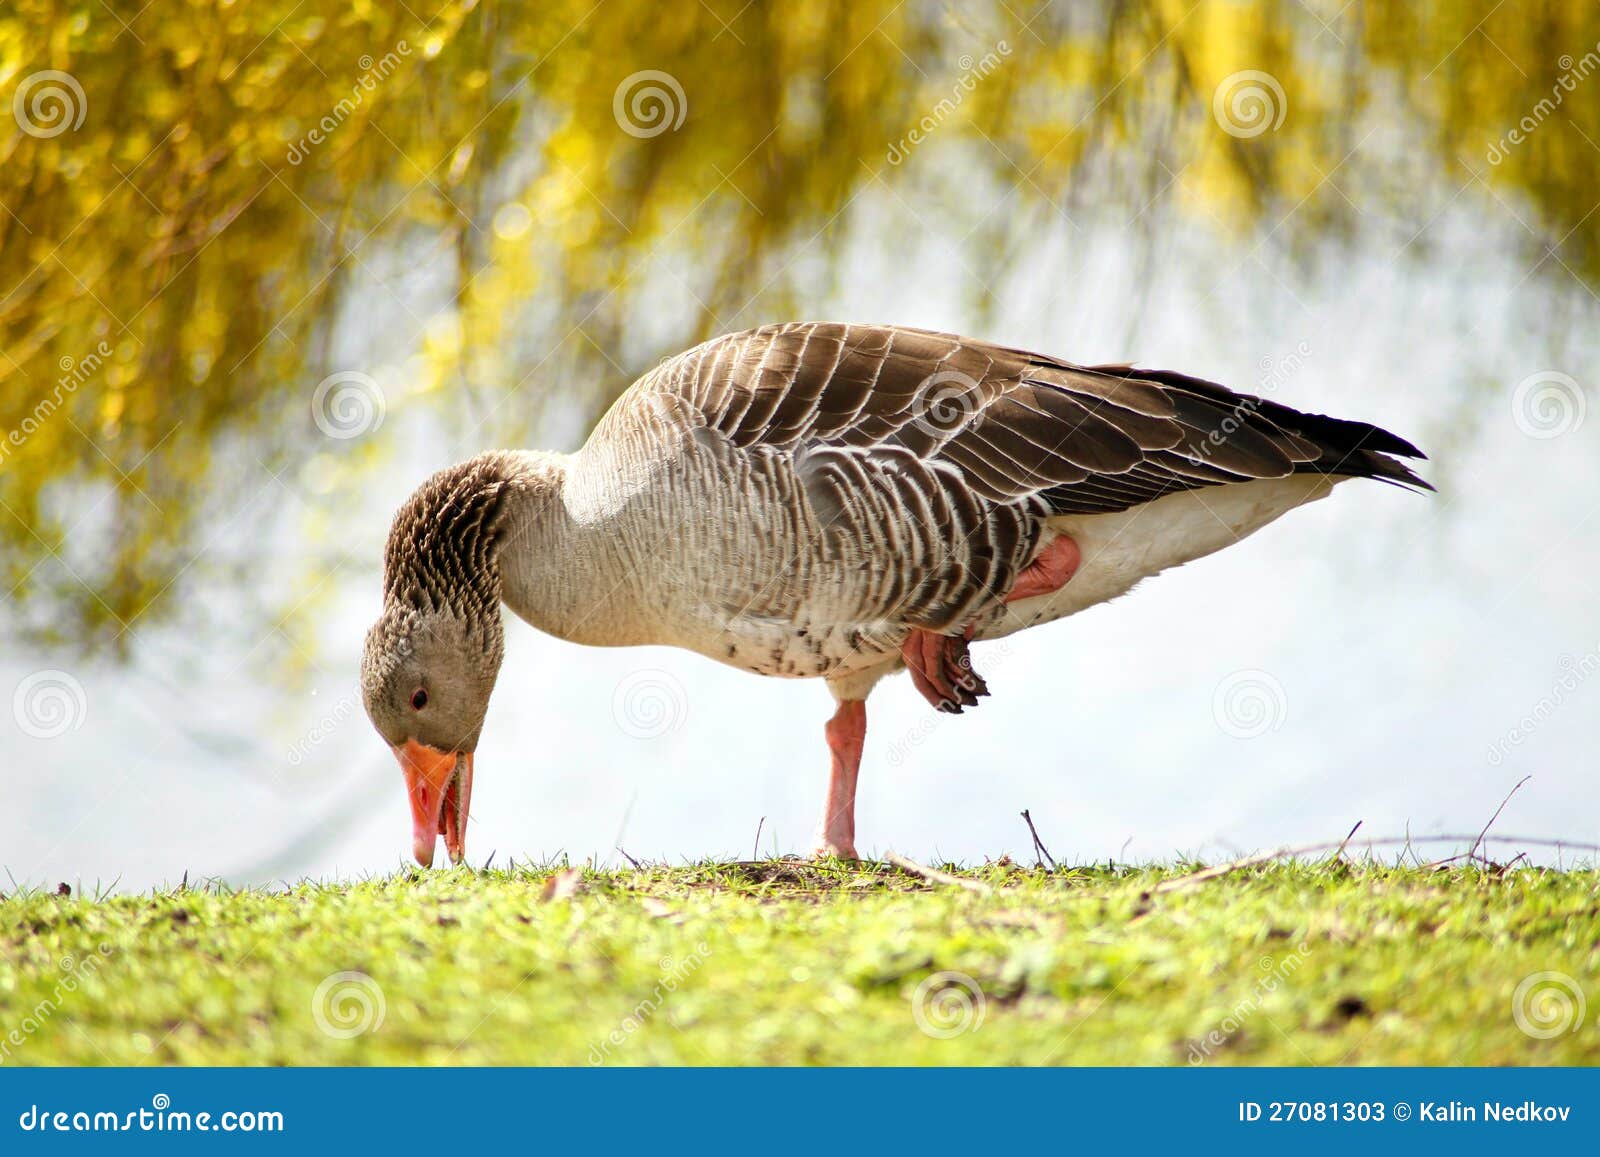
(948, 455)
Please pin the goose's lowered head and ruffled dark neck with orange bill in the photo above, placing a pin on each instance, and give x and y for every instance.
(433, 657)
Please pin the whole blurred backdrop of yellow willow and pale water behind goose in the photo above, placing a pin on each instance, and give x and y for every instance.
(265, 266)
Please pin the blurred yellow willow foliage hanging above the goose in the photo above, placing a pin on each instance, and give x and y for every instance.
(198, 196)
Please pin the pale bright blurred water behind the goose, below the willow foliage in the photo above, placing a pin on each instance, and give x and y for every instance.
(1414, 657)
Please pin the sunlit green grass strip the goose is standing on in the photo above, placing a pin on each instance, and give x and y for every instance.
(782, 963)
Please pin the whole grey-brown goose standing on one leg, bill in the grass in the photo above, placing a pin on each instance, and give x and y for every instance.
(826, 502)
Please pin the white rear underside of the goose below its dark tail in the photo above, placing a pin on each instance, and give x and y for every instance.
(1121, 550)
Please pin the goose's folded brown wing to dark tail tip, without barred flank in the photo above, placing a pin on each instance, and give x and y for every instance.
(1015, 425)
